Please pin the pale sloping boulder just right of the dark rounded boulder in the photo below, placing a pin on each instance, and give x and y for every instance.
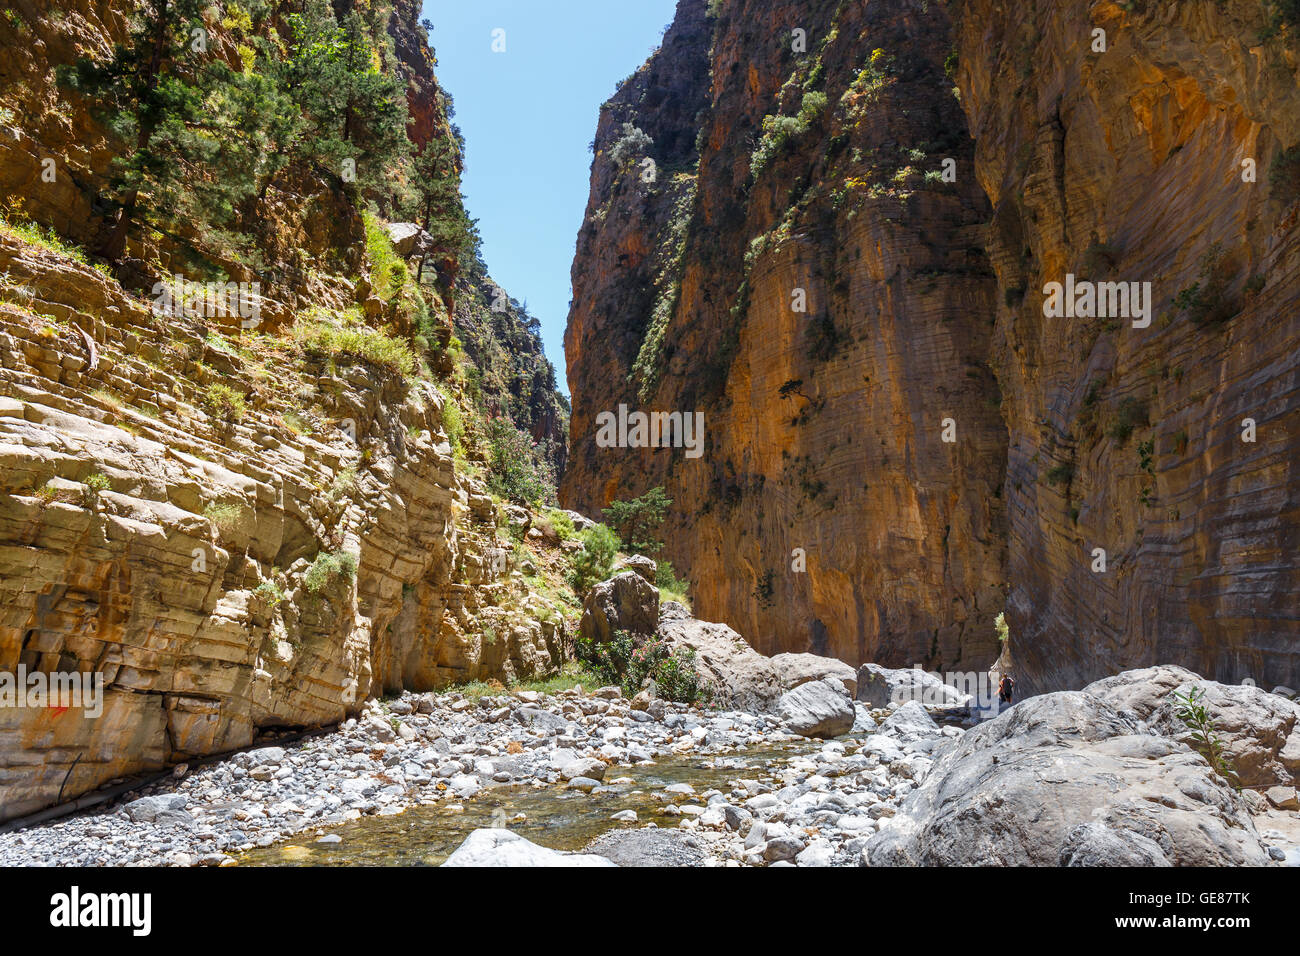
(740, 677)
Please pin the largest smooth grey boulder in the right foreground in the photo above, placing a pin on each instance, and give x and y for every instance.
(1064, 778)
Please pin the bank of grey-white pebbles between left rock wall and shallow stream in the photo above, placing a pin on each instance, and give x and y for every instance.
(437, 751)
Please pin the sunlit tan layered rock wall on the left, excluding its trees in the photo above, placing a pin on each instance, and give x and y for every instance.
(237, 530)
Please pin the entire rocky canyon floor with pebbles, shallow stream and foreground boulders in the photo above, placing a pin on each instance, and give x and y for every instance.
(530, 778)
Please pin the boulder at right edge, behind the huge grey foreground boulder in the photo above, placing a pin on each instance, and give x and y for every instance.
(1260, 732)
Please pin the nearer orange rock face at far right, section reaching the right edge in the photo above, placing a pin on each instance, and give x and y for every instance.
(1133, 165)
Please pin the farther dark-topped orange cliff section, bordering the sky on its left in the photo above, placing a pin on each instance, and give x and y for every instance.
(826, 427)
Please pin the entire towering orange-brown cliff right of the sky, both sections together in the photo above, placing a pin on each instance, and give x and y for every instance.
(926, 304)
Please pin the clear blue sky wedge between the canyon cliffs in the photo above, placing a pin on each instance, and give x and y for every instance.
(528, 115)
